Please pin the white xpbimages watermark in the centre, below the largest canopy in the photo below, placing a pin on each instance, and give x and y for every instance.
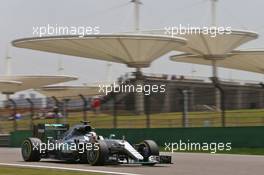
(147, 89)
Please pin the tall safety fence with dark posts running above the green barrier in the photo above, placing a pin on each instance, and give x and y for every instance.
(184, 104)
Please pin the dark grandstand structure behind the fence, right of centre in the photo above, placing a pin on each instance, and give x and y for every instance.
(238, 94)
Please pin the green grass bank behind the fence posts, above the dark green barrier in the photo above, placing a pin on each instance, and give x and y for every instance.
(247, 117)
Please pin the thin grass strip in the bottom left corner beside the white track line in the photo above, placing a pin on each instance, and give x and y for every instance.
(8, 170)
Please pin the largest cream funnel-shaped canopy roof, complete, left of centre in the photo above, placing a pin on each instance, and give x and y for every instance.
(135, 50)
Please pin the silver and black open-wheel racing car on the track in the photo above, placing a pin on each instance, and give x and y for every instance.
(80, 143)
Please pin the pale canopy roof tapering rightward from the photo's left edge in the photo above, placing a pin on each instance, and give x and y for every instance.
(24, 82)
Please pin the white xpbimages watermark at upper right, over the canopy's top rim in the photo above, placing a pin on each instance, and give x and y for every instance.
(212, 31)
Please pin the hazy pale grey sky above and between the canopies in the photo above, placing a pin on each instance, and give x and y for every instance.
(17, 18)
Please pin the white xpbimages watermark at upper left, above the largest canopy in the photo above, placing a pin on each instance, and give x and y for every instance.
(56, 30)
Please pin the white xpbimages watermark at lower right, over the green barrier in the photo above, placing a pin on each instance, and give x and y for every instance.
(212, 147)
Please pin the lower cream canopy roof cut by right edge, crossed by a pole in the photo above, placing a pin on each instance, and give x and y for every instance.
(252, 61)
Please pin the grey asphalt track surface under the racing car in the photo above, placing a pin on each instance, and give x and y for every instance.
(184, 164)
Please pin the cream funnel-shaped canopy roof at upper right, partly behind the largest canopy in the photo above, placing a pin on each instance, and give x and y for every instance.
(205, 44)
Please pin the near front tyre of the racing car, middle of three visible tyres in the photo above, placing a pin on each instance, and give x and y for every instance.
(99, 154)
